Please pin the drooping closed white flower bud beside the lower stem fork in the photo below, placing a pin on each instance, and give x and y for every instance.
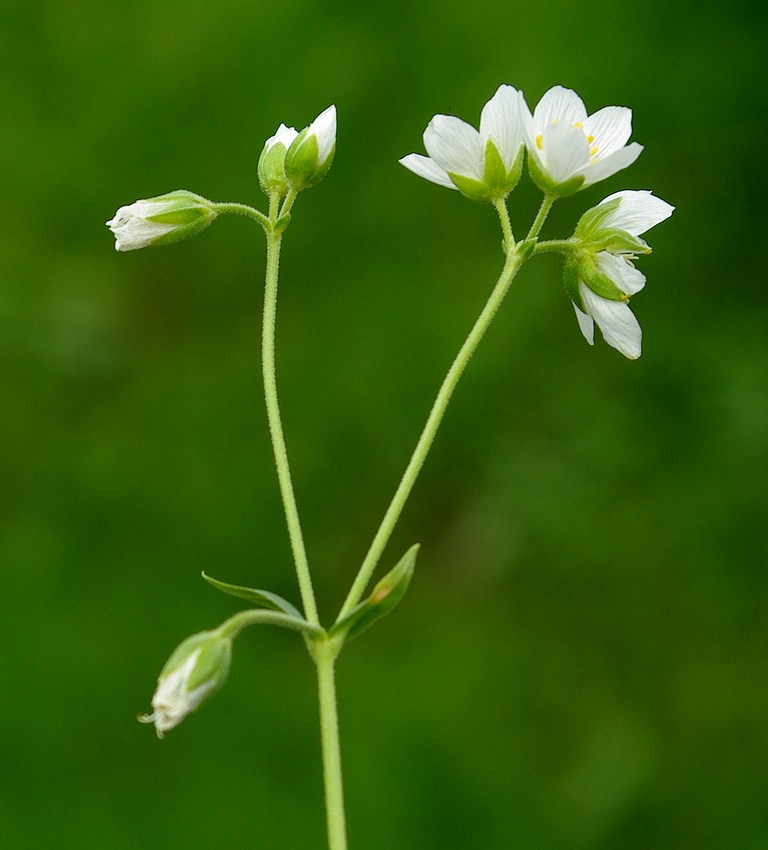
(197, 668)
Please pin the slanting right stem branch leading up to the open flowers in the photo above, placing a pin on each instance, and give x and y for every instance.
(511, 267)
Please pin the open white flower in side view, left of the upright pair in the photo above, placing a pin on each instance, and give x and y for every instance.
(485, 164)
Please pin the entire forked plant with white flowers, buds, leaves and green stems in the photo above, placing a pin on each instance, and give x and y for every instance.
(566, 150)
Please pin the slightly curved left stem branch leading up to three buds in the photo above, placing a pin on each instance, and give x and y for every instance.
(274, 240)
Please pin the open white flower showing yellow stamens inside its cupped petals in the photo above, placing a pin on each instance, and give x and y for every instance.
(569, 149)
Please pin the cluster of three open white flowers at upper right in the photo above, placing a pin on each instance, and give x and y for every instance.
(568, 150)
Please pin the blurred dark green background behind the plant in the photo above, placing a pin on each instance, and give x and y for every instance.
(581, 660)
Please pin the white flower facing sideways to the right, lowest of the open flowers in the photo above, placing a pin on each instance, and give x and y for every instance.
(611, 272)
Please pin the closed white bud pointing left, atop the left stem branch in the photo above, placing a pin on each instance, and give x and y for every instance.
(161, 220)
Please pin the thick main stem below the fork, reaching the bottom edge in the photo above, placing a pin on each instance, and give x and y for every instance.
(324, 653)
